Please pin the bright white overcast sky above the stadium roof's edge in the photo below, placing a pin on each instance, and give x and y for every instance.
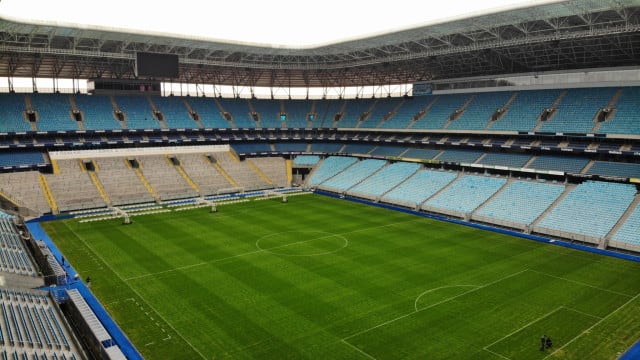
(276, 23)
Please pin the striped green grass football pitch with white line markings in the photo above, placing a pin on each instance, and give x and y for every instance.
(322, 278)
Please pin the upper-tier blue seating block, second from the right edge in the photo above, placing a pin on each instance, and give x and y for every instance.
(577, 110)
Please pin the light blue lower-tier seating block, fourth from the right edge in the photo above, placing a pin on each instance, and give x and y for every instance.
(465, 194)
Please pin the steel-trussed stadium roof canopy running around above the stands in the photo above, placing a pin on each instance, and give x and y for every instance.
(572, 35)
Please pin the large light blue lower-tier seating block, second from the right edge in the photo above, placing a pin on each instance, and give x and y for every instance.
(591, 209)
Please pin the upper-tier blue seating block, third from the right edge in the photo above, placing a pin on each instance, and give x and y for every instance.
(522, 113)
